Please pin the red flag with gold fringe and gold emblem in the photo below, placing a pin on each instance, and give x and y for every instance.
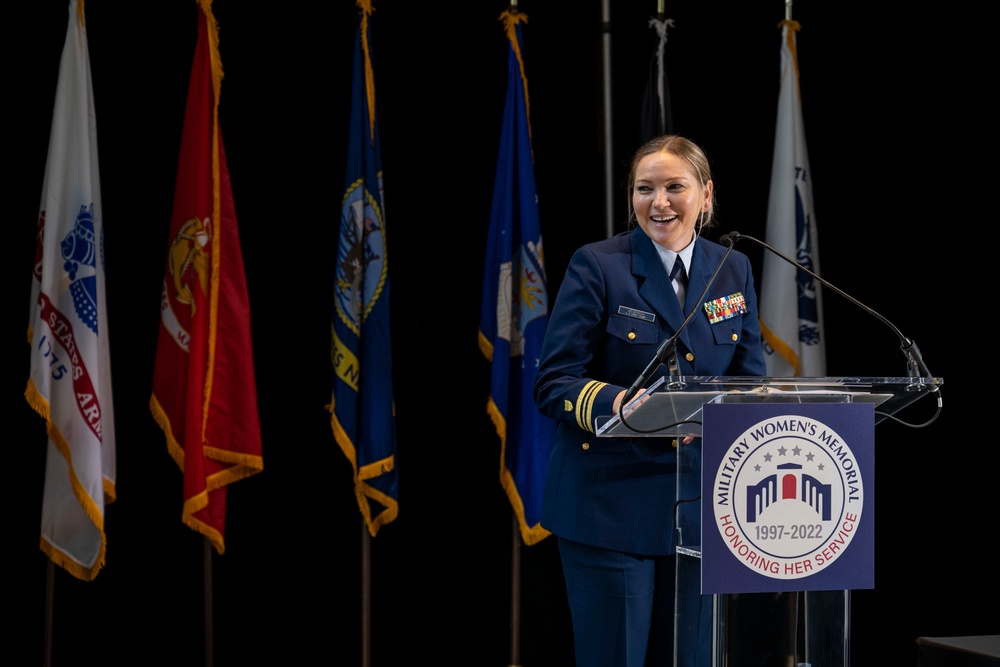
(204, 392)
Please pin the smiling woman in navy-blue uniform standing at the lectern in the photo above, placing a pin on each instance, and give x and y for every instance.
(610, 501)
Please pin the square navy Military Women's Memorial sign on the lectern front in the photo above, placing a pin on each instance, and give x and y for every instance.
(788, 497)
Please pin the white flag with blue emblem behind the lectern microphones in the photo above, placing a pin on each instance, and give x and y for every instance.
(791, 304)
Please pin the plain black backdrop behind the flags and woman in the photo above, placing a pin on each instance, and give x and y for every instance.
(900, 120)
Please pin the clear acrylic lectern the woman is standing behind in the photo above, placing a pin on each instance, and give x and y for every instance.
(801, 628)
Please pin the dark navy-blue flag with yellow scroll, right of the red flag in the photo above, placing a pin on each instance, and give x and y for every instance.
(363, 413)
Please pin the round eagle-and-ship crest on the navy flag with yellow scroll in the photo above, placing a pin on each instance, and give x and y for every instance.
(361, 265)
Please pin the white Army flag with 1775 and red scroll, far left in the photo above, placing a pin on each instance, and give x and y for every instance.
(70, 379)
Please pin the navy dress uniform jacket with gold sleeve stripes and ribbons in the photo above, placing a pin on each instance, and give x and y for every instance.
(615, 306)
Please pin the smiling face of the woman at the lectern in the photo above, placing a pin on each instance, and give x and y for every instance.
(668, 198)
